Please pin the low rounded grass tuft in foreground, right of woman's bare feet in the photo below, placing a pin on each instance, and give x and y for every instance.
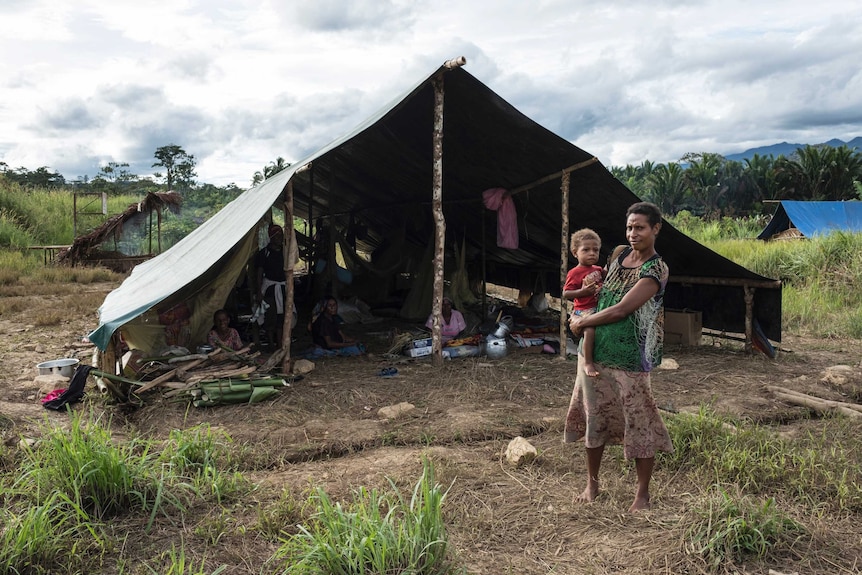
(732, 529)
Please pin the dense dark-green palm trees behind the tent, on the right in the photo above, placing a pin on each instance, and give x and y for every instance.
(712, 186)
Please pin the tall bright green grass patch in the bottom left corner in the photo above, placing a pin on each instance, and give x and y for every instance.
(73, 478)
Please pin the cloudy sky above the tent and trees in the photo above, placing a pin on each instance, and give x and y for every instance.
(238, 84)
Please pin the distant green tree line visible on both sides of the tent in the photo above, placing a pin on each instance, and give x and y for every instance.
(703, 183)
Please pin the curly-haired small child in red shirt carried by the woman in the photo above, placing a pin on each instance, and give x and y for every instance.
(583, 283)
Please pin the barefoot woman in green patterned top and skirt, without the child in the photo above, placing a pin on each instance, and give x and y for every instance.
(616, 405)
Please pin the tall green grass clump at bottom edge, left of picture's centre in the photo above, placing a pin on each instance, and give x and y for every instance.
(375, 533)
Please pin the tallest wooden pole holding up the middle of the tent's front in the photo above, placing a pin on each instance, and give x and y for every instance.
(439, 222)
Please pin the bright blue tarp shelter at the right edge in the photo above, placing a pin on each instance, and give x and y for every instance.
(814, 218)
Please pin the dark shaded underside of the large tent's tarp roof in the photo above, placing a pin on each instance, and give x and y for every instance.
(382, 173)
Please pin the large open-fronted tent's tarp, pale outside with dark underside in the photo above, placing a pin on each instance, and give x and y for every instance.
(377, 183)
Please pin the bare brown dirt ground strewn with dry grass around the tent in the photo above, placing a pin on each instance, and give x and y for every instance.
(325, 431)
